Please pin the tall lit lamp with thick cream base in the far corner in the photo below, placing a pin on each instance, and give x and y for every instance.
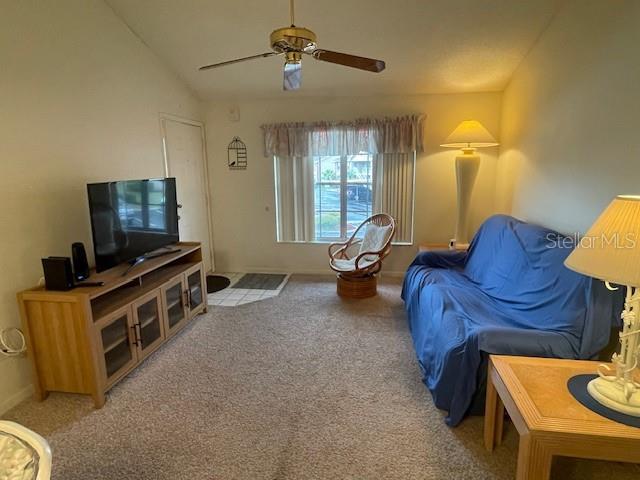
(467, 136)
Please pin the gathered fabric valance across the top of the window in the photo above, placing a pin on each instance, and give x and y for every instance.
(372, 136)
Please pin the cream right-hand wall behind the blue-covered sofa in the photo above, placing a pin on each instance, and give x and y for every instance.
(570, 117)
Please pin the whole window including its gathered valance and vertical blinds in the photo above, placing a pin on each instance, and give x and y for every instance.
(331, 176)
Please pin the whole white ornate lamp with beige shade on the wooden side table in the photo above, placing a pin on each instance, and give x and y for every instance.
(610, 251)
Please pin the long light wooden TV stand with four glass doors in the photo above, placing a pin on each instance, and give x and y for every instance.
(86, 339)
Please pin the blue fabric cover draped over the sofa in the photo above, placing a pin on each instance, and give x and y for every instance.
(509, 294)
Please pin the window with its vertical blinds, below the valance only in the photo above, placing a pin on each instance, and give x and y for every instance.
(325, 198)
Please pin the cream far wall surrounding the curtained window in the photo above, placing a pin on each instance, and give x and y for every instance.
(243, 201)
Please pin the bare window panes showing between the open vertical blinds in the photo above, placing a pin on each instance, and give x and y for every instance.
(343, 194)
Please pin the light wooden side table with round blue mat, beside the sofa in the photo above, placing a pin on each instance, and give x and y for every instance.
(548, 419)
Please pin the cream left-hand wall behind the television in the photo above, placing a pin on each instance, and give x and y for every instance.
(79, 102)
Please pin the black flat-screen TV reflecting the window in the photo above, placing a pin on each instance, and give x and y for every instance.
(131, 218)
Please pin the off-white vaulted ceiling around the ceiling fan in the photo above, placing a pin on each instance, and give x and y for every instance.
(430, 46)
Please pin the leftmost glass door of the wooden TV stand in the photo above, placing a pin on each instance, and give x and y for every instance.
(117, 339)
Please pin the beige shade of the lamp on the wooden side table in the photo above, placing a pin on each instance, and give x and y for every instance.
(610, 250)
